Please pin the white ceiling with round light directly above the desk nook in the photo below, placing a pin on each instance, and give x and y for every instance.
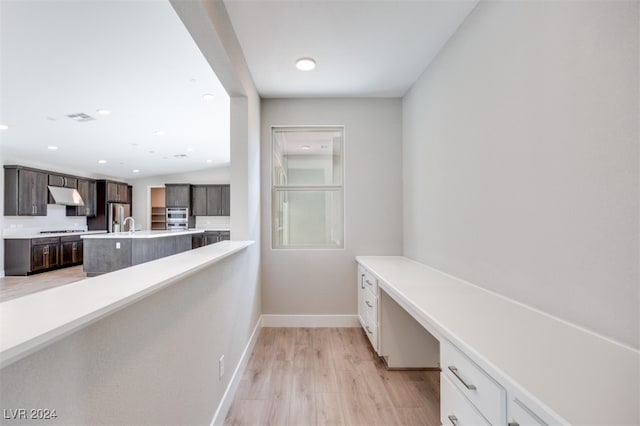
(368, 48)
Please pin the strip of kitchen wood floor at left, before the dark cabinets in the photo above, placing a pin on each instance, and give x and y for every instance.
(12, 287)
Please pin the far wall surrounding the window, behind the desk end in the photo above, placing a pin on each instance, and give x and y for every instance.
(321, 282)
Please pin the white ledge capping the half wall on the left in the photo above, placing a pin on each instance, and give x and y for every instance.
(32, 322)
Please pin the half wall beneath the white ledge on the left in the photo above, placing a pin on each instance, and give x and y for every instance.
(154, 362)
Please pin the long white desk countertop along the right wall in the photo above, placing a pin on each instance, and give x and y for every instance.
(580, 376)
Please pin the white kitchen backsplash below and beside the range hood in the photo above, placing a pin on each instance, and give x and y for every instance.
(55, 219)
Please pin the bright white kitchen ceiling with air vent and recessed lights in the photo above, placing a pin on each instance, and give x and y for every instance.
(134, 58)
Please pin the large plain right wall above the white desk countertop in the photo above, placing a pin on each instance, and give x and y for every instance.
(521, 159)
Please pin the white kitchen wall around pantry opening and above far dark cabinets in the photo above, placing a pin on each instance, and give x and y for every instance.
(141, 188)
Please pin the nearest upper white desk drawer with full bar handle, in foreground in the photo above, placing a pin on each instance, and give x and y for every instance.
(484, 392)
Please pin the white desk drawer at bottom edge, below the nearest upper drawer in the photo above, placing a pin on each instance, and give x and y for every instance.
(455, 409)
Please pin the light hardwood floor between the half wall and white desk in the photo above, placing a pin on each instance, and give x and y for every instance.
(329, 376)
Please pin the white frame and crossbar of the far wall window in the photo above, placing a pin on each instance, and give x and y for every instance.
(320, 188)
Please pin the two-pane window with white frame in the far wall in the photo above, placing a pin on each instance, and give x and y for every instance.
(307, 187)
